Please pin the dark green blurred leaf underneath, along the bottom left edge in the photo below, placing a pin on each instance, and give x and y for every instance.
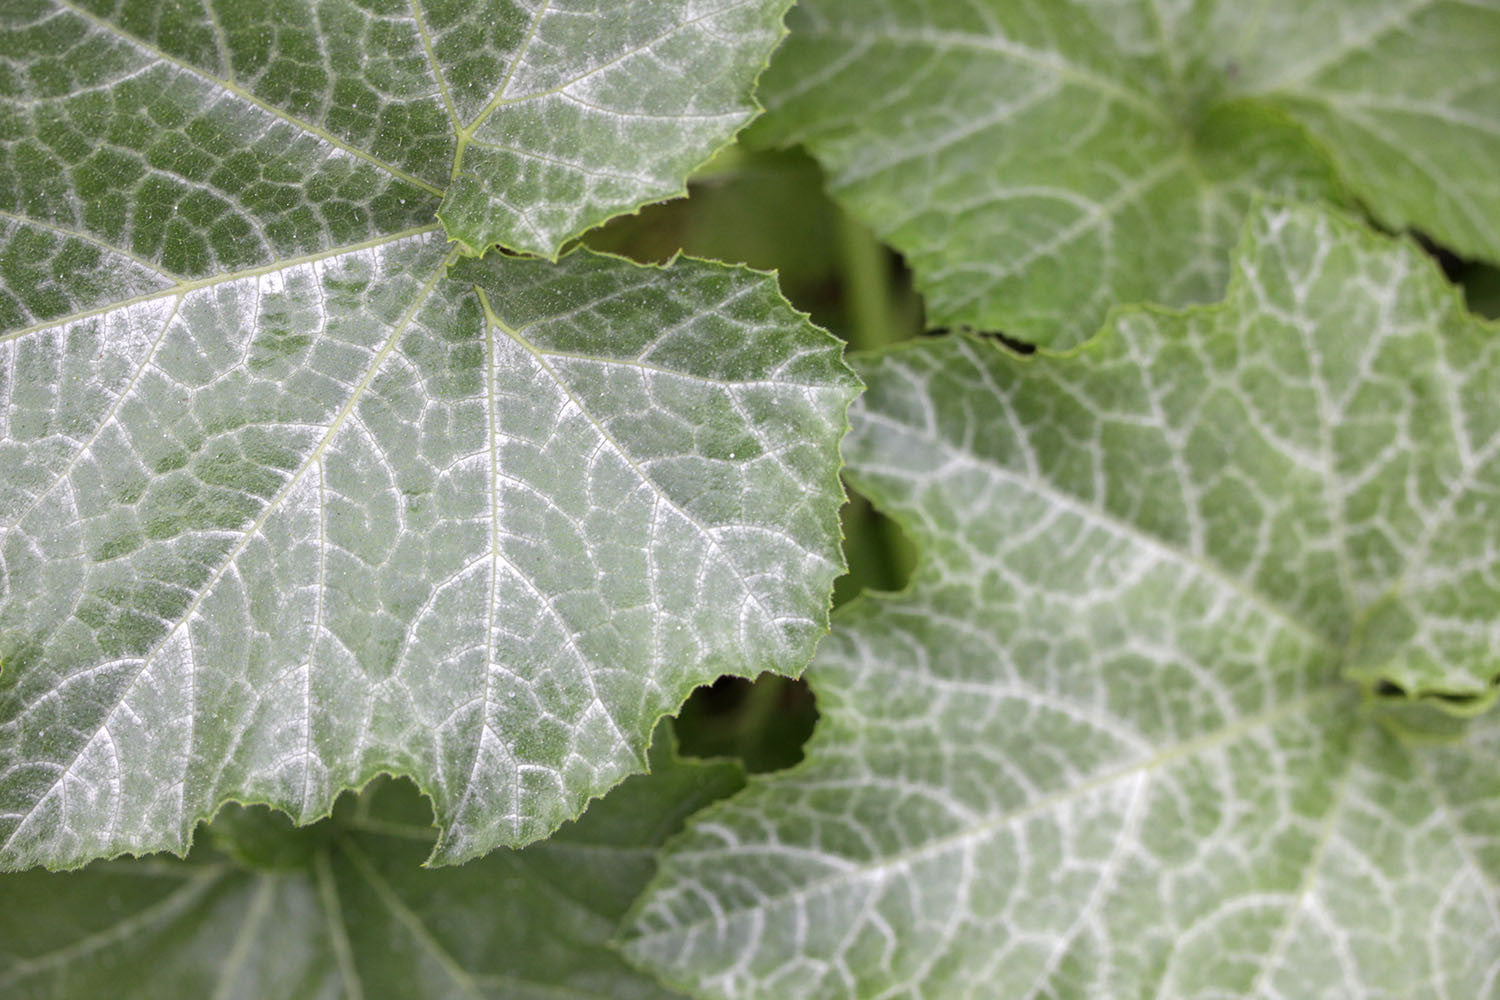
(343, 909)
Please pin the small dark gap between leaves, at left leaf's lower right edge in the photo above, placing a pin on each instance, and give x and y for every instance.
(764, 723)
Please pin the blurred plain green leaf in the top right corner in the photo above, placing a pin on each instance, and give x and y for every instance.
(1042, 161)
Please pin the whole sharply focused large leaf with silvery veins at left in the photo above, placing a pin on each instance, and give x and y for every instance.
(292, 494)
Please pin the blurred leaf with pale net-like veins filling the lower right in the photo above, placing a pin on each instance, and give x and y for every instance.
(1106, 746)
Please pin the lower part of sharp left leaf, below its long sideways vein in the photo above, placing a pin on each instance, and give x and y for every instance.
(475, 522)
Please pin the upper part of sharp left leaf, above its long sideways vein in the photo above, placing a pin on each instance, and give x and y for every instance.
(145, 143)
